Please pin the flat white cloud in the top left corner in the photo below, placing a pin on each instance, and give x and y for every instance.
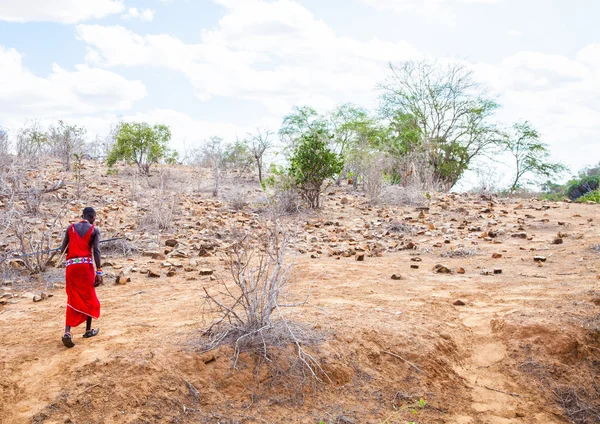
(63, 11)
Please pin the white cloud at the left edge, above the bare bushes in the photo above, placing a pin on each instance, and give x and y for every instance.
(86, 90)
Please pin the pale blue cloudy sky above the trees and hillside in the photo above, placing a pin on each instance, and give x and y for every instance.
(224, 67)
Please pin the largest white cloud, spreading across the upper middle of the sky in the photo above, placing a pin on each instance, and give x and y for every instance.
(276, 53)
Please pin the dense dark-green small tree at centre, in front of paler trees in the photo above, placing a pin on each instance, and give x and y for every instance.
(312, 163)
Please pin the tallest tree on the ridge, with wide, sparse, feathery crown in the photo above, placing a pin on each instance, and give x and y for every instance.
(440, 111)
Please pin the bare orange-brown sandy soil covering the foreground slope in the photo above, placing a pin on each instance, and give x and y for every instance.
(397, 351)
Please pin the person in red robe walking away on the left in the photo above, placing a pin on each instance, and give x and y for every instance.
(82, 244)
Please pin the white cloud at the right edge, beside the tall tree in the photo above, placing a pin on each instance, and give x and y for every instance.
(557, 94)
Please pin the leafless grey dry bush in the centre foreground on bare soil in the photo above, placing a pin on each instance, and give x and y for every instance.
(250, 317)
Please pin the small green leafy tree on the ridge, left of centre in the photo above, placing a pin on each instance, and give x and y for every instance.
(142, 144)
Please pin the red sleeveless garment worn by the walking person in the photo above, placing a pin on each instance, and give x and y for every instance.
(82, 301)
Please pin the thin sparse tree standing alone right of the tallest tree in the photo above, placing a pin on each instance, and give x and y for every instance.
(530, 155)
